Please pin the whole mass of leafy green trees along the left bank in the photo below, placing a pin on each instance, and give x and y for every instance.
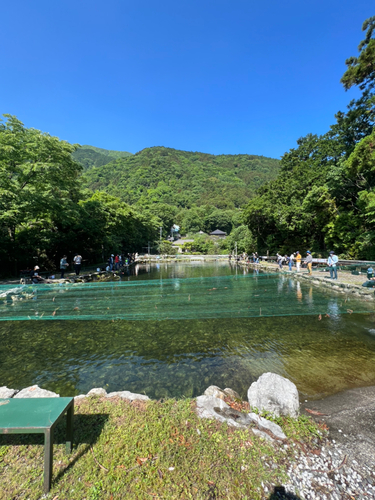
(44, 212)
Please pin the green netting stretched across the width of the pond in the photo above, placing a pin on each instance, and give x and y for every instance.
(189, 298)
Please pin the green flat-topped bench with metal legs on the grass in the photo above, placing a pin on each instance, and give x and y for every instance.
(38, 416)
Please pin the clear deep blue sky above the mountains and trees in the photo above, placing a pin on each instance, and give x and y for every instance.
(215, 76)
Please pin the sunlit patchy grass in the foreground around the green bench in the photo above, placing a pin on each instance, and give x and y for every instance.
(155, 449)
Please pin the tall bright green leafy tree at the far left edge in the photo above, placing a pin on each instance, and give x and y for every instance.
(39, 182)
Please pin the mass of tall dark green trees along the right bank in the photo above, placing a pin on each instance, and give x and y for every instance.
(324, 197)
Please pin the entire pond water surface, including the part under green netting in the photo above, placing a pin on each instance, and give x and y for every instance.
(174, 329)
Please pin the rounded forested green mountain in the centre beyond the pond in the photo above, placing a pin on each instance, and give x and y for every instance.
(183, 179)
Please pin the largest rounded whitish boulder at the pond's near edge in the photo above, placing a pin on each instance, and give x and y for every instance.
(274, 394)
